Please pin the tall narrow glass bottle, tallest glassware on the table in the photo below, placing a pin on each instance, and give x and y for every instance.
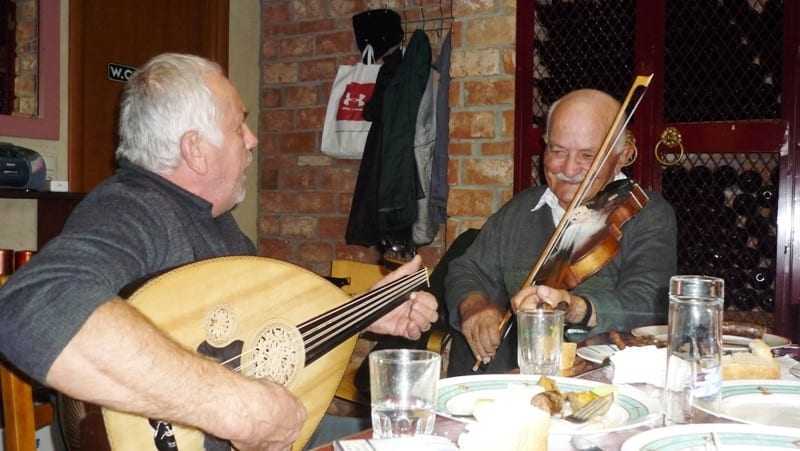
(694, 375)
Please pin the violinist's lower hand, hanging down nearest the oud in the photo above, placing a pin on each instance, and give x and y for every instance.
(480, 324)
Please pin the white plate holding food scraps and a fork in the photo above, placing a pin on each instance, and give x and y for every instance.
(561, 396)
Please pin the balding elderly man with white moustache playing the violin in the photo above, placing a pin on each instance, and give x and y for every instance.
(629, 291)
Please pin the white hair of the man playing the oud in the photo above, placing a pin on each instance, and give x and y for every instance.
(164, 99)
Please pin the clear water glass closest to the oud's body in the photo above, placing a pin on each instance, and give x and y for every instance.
(403, 391)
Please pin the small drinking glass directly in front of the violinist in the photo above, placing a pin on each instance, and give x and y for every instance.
(539, 336)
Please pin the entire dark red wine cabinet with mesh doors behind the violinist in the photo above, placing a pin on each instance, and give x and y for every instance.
(725, 81)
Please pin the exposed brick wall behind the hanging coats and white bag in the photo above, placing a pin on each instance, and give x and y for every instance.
(304, 195)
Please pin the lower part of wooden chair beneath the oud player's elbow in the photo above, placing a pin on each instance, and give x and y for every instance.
(21, 416)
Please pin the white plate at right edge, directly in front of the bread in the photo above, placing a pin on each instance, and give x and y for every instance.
(765, 402)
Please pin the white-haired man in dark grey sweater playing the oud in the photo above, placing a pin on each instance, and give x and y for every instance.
(184, 147)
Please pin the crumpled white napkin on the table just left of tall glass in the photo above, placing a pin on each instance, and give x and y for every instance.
(640, 364)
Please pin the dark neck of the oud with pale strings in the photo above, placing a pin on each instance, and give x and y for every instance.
(328, 330)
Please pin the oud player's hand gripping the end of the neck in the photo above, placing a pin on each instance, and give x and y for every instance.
(411, 318)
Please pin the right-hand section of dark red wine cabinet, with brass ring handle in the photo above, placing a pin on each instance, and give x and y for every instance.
(731, 99)
